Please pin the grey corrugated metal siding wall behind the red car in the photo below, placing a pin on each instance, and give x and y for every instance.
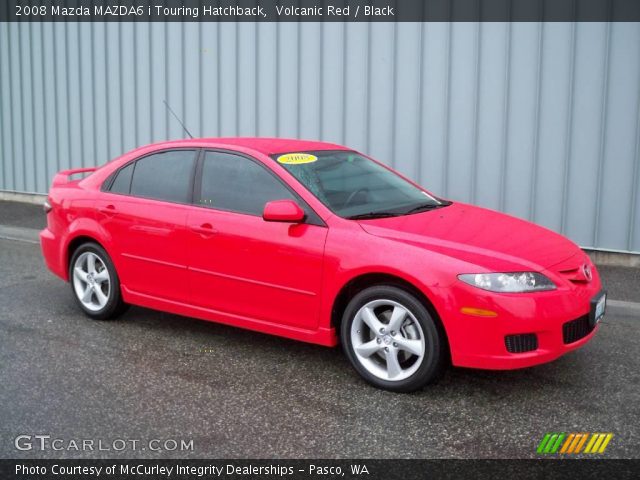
(538, 120)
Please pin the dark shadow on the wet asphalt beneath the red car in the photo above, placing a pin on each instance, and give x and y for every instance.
(198, 338)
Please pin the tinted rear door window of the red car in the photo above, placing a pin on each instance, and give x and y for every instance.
(164, 176)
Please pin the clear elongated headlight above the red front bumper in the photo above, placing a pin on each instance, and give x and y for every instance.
(514, 282)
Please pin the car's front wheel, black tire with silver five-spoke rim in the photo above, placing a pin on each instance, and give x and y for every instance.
(392, 340)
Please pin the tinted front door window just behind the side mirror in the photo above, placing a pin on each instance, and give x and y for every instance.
(231, 182)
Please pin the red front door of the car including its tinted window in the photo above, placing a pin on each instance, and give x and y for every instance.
(241, 265)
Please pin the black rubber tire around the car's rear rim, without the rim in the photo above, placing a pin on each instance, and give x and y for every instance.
(114, 306)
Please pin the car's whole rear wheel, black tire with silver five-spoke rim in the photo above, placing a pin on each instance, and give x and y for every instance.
(95, 283)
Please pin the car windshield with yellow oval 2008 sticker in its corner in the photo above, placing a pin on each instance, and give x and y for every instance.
(354, 186)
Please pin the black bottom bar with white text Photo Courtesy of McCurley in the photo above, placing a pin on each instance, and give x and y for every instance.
(370, 469)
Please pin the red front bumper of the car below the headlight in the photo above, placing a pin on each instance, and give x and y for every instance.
(479, 342)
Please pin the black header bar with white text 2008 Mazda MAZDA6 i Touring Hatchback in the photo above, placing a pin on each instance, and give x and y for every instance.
(319, 10)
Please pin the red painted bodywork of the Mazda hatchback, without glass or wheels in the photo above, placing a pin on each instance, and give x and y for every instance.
(284, 278)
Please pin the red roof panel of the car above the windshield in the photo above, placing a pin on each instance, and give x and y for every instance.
(264, 145)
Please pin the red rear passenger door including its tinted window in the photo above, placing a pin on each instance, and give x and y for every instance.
(145, 211)
